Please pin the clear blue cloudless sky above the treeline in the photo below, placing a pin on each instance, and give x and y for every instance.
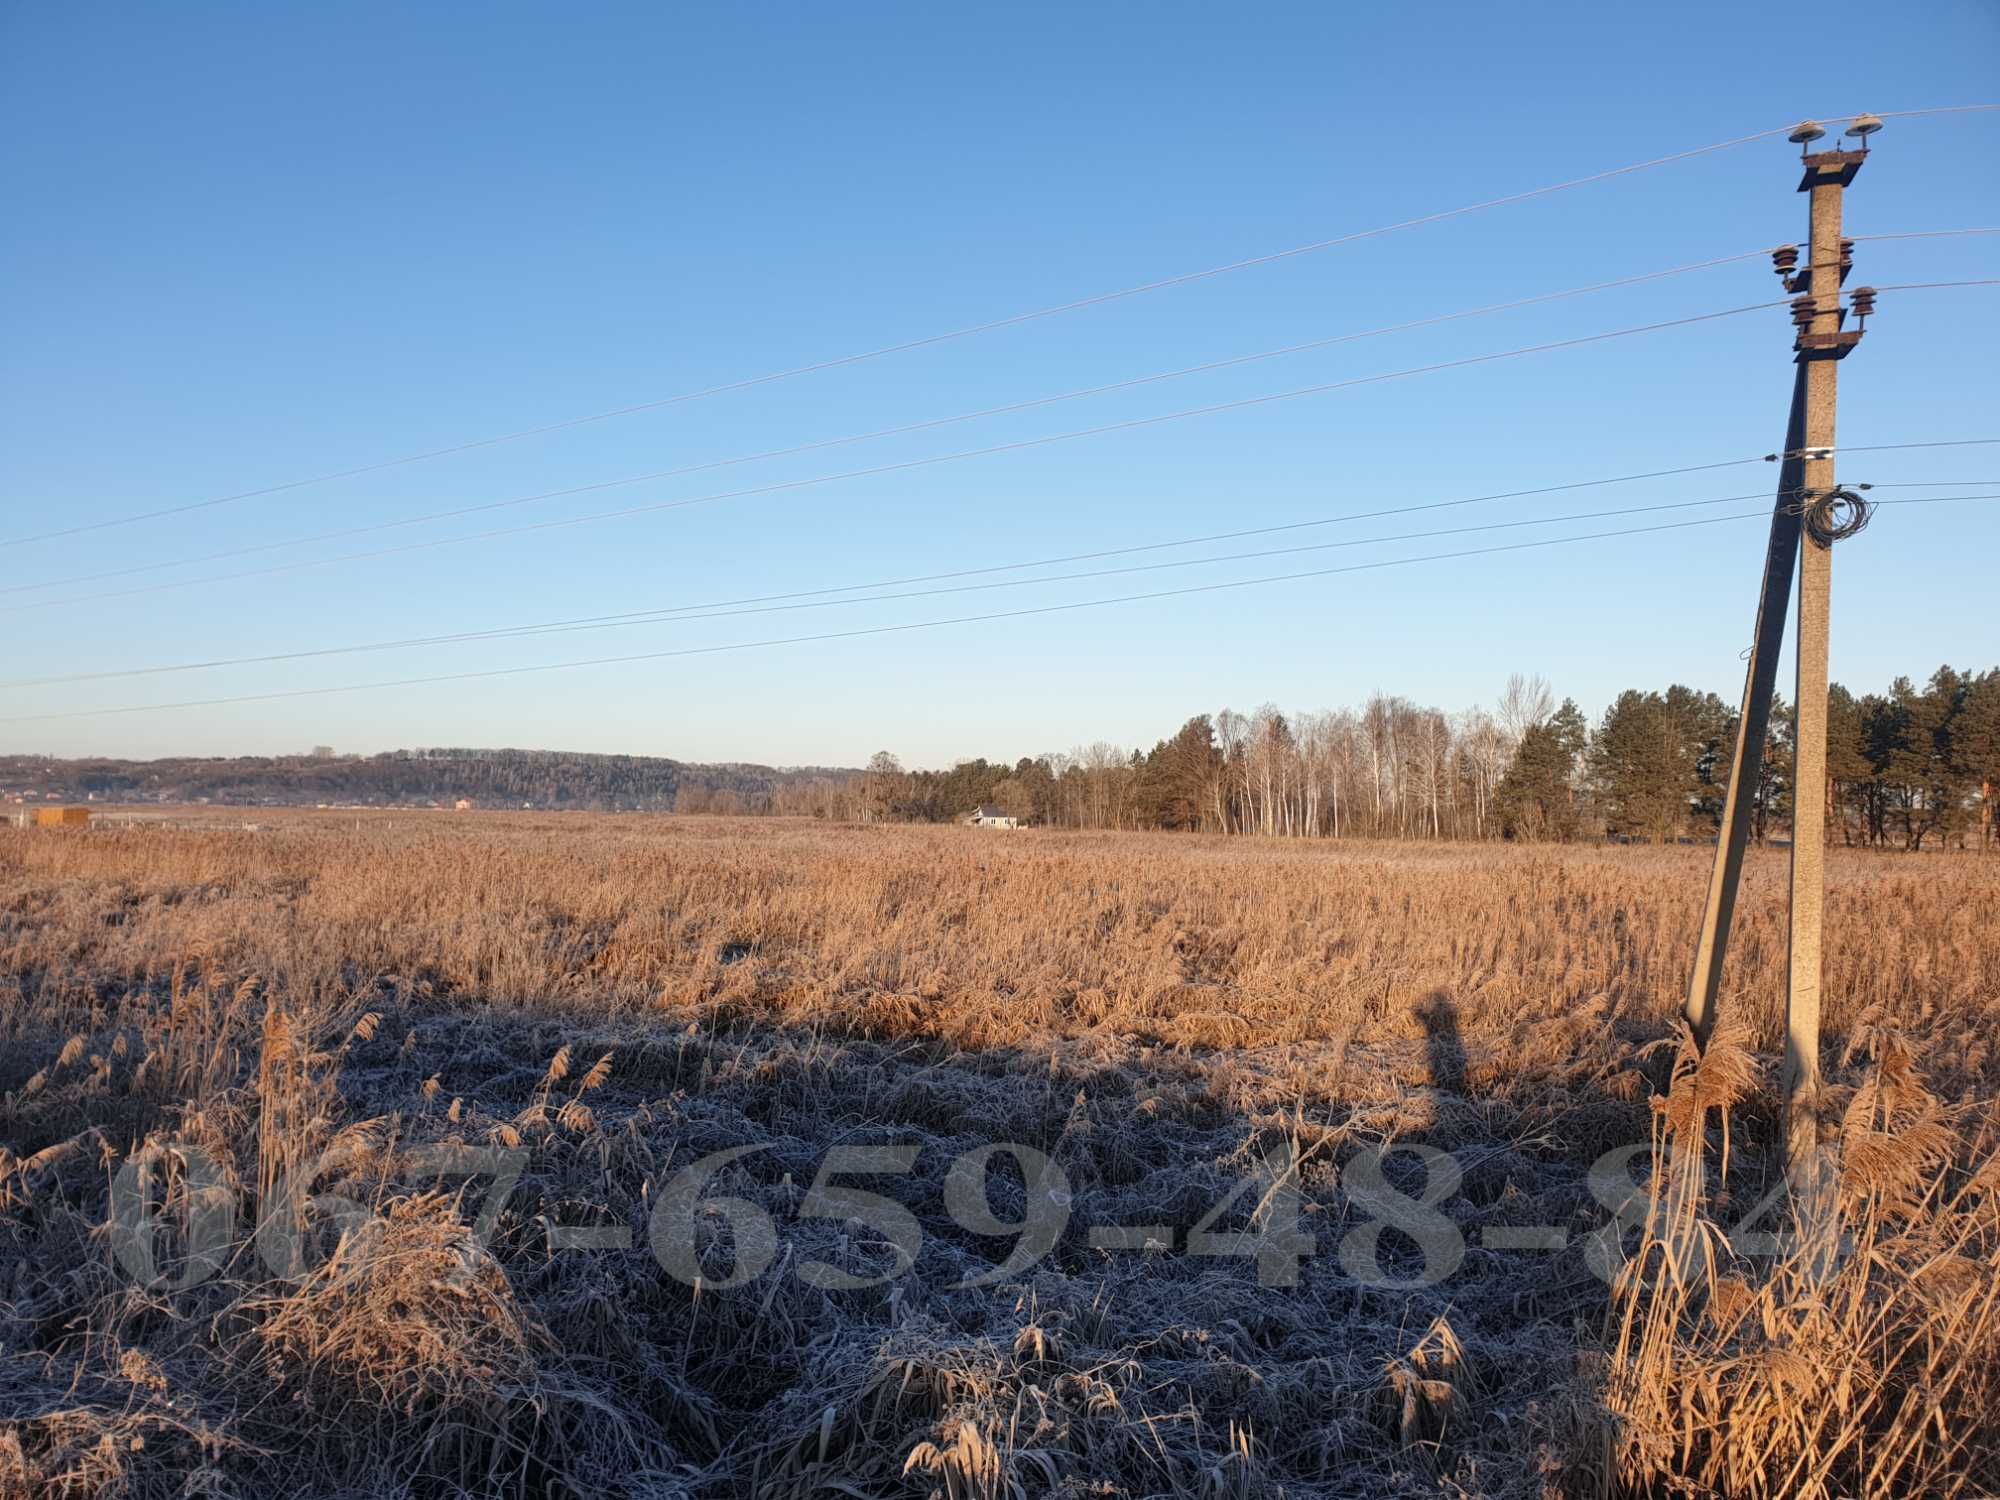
(261, 243)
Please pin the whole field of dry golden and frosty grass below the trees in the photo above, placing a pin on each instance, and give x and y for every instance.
(299, 1129)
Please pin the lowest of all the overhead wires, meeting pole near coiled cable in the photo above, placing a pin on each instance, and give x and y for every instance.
(881, 631)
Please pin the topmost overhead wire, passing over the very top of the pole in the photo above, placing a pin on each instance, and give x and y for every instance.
(929, 341)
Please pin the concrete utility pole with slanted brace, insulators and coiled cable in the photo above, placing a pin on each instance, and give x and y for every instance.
(1811, 515)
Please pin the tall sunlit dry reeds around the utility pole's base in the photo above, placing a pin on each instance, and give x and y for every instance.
(1847, 1347)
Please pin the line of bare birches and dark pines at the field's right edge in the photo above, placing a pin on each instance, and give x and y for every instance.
(1911, 767)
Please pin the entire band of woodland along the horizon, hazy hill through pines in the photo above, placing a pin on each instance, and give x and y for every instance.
(1913, 767)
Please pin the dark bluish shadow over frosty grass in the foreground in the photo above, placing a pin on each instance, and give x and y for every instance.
(1243, 1349)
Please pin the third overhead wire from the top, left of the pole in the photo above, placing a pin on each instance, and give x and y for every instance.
(907, 465)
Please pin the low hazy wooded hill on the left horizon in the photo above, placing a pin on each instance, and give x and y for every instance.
(403, 779)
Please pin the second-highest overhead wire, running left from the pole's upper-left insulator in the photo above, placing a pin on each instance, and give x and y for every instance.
(891, 431)
